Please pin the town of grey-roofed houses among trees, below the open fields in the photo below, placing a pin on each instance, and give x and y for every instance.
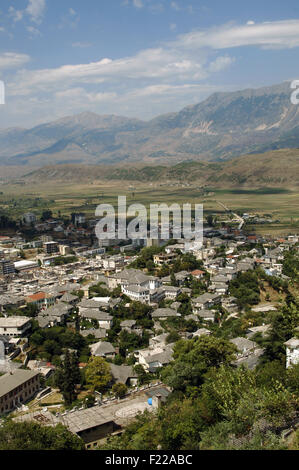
(89, 328)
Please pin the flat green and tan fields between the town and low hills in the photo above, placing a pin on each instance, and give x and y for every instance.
(281, 204)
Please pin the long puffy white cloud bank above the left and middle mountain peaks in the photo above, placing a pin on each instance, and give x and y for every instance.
(148, 64)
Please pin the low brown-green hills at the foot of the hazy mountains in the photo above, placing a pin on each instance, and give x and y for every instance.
(273, 169)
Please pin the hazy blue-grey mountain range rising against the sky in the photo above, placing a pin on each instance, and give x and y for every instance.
(222, 126)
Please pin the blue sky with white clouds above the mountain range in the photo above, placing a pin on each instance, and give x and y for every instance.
(138, 58)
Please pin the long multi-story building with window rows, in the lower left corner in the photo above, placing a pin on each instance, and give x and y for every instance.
(16, 388)
